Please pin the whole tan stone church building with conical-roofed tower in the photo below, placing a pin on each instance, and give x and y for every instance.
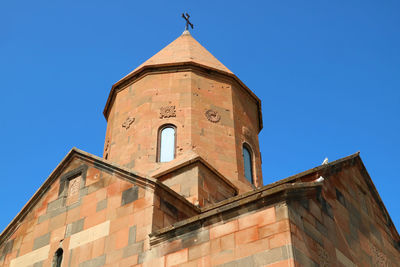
(180, 184)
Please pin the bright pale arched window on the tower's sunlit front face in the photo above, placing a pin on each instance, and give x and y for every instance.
(166, 143)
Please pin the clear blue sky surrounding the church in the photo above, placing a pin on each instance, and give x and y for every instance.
(327, 72)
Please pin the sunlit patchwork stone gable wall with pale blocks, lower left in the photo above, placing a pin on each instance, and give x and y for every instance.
(108, 224)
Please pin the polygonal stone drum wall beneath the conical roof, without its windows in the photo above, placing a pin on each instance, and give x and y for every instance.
(207, 112)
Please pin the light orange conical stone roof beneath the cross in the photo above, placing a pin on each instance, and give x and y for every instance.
(184, 49)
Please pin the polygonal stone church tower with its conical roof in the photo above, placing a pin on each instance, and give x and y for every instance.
(212, 112)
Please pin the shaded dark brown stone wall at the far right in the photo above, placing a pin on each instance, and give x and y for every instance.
(344, 226)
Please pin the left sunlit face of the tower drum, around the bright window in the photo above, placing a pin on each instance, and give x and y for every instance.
(136, 147)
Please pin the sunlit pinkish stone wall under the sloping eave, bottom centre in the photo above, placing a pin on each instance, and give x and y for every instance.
(258, 238)
